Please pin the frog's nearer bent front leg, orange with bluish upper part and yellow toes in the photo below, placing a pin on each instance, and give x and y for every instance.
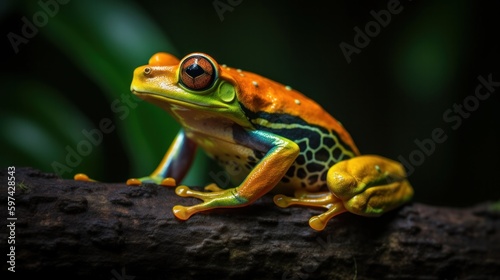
(281, 154)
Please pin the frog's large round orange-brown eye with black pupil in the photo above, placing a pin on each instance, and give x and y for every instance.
(197, 72)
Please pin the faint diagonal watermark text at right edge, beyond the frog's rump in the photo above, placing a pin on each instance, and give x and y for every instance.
(453, 116)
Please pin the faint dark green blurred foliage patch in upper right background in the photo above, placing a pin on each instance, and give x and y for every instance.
(426, 54)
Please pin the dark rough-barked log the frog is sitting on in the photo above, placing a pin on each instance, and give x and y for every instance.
(82, 230)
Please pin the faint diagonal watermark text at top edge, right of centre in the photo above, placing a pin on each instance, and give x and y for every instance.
(362, 37)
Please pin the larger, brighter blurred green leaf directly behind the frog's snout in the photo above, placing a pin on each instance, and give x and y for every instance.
(108, 40)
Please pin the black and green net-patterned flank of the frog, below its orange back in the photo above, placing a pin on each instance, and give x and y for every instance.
(319, 148)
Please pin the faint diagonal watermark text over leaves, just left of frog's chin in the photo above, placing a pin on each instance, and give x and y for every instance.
(93, 138)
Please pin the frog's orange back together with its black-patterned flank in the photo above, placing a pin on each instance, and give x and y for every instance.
(278, 109)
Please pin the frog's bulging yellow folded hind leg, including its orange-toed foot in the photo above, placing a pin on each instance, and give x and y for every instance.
(366, 185)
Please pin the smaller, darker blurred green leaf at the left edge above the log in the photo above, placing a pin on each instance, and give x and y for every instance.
(40, 137)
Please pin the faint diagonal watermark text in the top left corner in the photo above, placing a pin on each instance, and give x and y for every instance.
(48, 9)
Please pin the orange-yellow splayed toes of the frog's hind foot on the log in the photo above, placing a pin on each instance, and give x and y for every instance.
(326, 200)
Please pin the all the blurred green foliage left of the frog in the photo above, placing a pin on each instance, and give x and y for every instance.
(105, 42)
